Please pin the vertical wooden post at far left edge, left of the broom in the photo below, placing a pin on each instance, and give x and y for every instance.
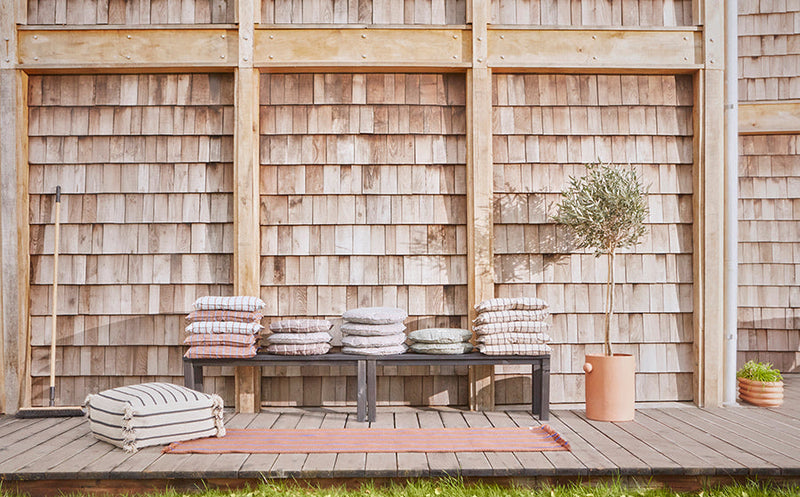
(14, 237)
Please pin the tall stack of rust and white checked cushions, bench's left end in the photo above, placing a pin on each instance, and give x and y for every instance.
(222, 327)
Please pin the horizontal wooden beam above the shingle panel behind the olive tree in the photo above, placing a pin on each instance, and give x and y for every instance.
(596, 50)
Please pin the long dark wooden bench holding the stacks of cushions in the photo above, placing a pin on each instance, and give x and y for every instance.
(367, 367)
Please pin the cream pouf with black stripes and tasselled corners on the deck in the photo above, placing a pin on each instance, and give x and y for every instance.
(148, 414)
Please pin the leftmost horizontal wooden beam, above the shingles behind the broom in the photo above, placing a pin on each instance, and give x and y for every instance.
(173, 48)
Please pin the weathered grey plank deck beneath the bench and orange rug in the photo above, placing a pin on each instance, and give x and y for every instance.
(679, 445)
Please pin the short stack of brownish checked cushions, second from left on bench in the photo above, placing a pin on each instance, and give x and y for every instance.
(300, 337)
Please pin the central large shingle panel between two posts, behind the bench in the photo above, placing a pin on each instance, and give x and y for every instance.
(363, 203)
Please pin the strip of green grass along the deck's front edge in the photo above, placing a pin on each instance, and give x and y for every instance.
(454, 487)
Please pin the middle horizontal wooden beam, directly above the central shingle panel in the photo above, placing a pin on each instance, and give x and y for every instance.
(399, 47)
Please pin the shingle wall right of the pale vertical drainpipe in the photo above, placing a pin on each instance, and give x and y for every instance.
(769, 186)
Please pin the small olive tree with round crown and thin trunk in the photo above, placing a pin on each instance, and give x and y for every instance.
(606, 209)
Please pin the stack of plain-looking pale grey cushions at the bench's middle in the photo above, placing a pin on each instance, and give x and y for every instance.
(374, 331)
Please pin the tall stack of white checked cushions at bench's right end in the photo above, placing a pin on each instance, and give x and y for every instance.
(512, 326)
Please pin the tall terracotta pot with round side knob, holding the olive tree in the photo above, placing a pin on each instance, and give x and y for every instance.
(610, 387)
